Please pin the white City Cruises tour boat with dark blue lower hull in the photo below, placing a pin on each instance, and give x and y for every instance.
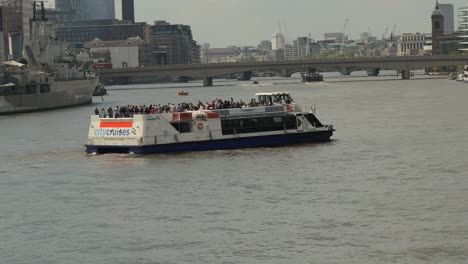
(278, 122)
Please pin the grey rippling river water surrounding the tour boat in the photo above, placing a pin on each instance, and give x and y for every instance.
(392, 186)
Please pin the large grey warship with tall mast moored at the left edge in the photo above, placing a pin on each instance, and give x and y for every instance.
(49, 79)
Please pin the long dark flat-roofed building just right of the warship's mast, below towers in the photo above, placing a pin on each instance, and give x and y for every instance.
(80, 32)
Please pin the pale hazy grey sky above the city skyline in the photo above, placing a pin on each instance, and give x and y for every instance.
(247, 22)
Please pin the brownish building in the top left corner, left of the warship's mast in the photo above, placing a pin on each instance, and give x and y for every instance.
(15, 29)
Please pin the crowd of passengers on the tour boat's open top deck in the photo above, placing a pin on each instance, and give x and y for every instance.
(218, 104)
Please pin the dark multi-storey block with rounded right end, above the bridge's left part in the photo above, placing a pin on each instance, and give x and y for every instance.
(175, 43)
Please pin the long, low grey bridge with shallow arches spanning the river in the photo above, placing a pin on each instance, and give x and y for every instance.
(344, 65)
